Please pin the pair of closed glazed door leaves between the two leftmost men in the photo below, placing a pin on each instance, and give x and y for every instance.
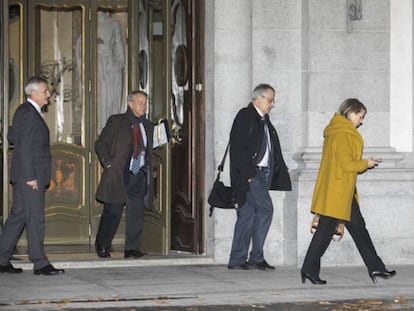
(81, 49)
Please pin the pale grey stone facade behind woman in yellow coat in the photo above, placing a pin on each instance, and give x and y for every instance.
(315, 56)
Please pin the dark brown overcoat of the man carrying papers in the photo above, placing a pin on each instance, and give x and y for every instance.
(113, 148)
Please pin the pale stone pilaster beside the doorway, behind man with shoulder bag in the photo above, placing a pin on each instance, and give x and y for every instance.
(232, 87)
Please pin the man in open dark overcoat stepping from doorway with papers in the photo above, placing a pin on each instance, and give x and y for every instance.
(124, 149)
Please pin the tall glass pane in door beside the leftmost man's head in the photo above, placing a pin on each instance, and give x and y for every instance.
(59, 42)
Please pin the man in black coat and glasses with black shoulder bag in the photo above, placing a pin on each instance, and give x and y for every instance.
(256, 165)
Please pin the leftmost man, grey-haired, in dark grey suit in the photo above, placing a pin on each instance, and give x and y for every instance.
(30, 176)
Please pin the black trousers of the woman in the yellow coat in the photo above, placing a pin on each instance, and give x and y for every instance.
(323, 237)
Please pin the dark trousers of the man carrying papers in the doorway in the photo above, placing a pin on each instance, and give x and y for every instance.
(136, 186)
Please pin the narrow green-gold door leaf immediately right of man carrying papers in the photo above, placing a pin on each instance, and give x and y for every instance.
(152, 70)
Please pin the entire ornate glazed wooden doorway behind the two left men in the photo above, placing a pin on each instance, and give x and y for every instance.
(162, 54)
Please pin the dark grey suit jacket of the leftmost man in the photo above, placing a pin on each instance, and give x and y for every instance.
(31, 154)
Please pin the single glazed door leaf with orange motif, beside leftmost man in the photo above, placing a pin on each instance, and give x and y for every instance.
(57, 38)
